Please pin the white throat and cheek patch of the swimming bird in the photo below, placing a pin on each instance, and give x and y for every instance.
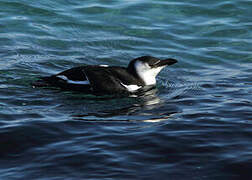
(146, 73)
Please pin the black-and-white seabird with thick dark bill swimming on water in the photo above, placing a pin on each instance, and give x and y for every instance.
(104, 79)
